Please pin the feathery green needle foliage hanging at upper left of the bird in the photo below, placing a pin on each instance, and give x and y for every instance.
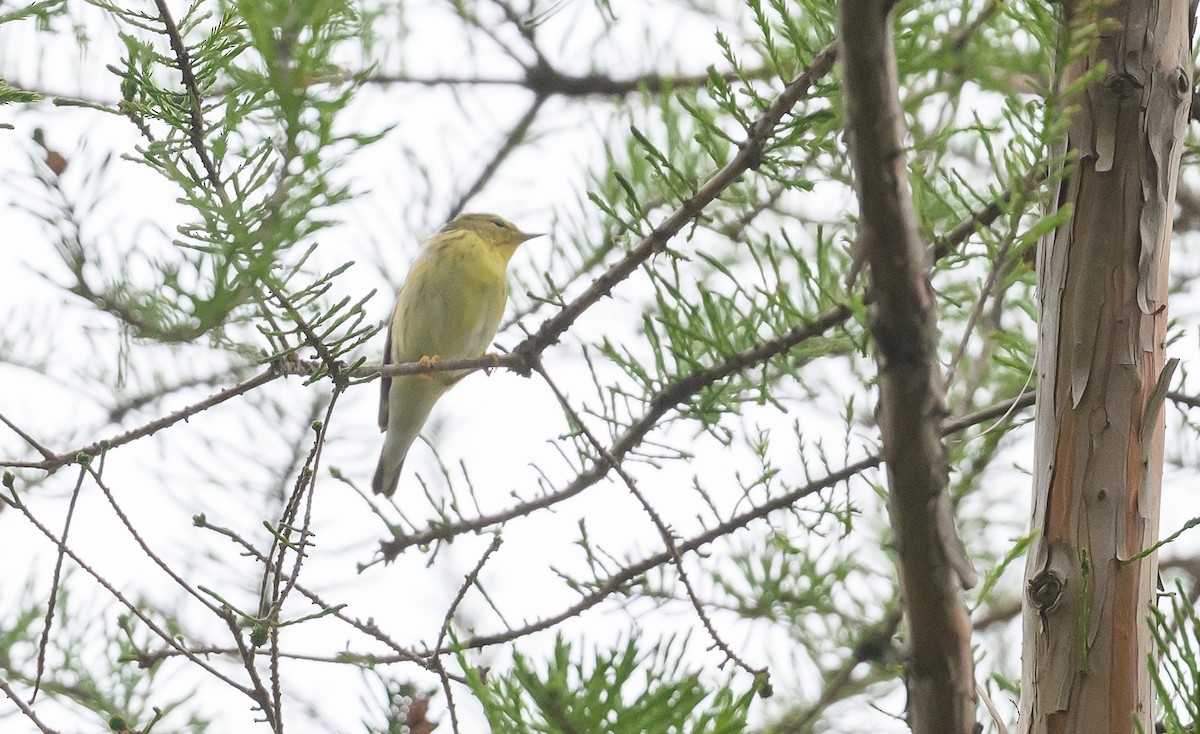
(249, 140)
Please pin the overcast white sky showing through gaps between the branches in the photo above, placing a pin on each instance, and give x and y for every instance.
(501, 426)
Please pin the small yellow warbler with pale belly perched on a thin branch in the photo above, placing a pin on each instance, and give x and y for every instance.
(448, 309)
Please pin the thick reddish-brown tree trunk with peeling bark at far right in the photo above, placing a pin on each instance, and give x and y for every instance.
(1102, 292)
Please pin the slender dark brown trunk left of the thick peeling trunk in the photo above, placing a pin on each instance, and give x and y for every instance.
(933, 564)
